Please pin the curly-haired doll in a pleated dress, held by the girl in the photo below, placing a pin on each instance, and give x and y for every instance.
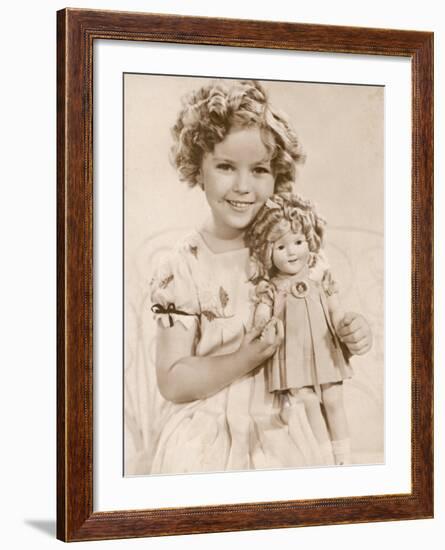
(296, 287)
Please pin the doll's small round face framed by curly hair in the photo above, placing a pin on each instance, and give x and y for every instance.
(290, 253)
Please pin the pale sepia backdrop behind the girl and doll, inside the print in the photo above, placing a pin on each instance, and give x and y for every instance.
(341, 130)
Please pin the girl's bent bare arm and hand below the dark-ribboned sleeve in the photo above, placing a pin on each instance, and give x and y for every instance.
(184, 377)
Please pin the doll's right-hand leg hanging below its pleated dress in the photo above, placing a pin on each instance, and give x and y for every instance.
(333, 403)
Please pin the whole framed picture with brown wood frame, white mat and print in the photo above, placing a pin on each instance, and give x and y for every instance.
(245, 229)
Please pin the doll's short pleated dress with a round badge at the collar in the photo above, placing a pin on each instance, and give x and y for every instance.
(311, 353)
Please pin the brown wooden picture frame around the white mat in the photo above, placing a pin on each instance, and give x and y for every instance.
(76, 32)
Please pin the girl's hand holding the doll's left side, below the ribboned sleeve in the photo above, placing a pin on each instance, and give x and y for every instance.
(254, 350)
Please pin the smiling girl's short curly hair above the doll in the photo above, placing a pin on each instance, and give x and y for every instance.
(209, 113)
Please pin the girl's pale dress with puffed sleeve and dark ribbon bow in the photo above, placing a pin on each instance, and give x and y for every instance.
(238, 428)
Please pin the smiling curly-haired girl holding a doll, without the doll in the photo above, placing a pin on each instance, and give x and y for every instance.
(218, 414)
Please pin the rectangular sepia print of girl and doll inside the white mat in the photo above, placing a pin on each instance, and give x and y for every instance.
(253, 274)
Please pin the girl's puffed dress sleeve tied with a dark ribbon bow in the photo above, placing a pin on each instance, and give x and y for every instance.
(173, 292)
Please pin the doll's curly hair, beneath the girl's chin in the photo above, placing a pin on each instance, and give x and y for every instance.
(280, 214)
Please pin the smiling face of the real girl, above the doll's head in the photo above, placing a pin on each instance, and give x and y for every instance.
(237, 180)
